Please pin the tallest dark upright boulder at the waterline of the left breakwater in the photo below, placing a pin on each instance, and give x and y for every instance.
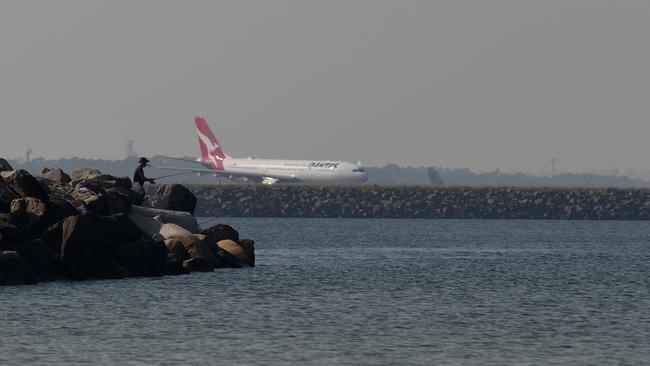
(85, 251)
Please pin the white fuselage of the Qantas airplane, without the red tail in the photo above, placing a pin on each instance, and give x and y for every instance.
(305, 171)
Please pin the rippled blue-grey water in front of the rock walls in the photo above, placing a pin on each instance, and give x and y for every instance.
(375, 292)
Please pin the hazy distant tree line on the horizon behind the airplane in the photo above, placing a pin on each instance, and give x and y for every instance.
(389, 174)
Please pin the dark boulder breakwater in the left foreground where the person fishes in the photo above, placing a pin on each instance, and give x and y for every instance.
(88, 225)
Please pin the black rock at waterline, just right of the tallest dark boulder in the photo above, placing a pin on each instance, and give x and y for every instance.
(143, 258)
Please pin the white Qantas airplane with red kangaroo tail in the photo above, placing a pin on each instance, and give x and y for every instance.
(268, 171)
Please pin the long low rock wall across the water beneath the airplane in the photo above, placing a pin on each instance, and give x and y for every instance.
(422, 202)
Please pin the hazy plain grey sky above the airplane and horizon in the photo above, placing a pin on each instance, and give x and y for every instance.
(479, 84)
